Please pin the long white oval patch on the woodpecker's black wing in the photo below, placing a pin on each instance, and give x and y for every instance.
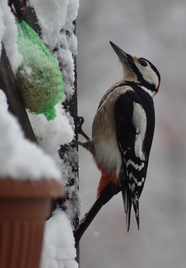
(140, 123)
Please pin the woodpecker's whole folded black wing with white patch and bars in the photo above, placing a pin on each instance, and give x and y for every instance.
(134, 135)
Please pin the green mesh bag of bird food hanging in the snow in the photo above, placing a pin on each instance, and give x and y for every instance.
(39, 77)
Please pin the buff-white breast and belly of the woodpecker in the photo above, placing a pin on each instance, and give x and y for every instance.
(107, 153)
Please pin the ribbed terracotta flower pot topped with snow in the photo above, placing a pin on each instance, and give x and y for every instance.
(24, 207)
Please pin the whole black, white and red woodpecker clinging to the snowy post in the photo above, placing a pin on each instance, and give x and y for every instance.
(122, 134)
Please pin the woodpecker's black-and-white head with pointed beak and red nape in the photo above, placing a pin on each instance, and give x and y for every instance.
(139, 70)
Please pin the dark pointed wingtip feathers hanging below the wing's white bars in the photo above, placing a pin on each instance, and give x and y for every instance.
(128, 201)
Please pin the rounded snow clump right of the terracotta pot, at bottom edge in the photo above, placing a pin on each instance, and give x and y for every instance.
(58, 245)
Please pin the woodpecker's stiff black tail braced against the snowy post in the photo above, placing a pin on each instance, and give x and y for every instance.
(102, 199)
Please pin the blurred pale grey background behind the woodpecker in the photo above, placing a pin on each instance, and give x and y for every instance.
(155, 30)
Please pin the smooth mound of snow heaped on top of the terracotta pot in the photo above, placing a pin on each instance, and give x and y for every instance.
(20, 158)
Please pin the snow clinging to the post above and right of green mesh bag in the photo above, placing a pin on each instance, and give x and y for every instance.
(56, 19)
